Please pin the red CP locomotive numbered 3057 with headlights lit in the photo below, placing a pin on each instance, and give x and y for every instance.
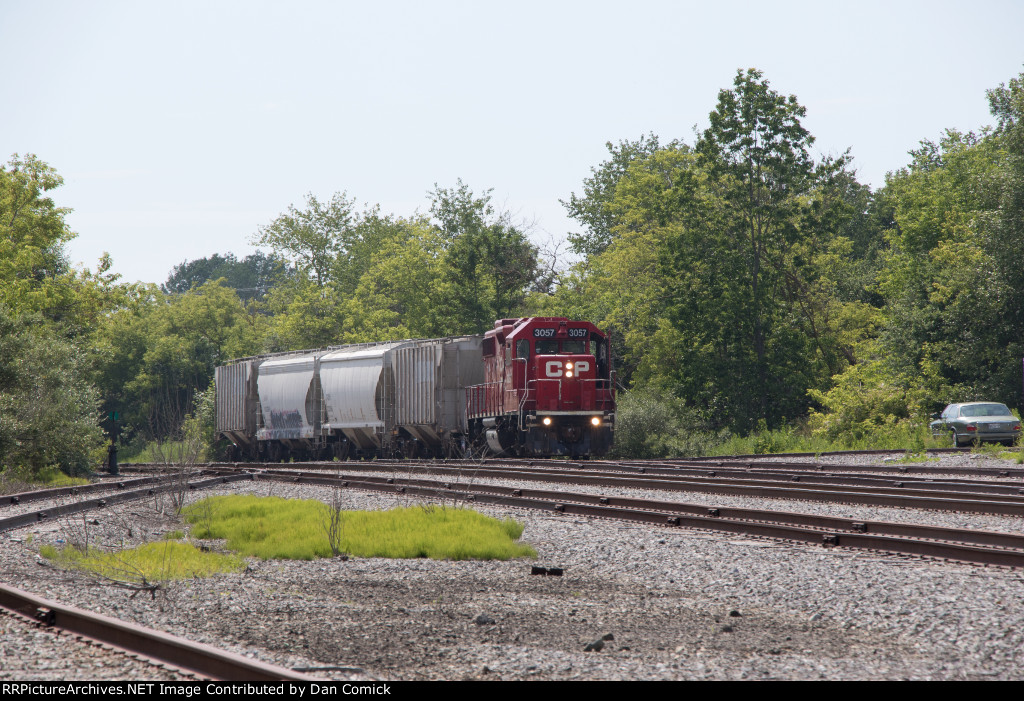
(548, 389)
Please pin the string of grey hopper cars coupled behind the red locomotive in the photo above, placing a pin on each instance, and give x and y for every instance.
(404, 399)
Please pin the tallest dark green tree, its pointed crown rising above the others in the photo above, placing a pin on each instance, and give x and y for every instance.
(771, 224)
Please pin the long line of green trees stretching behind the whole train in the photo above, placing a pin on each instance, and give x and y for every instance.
(748, 285)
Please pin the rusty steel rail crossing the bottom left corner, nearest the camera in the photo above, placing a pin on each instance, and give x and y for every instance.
(147, 643)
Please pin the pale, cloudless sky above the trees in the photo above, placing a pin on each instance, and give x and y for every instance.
(182, 127)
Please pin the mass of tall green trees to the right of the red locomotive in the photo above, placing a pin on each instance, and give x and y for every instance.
(753, 284)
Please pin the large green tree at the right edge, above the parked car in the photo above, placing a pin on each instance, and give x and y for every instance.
(953, 280)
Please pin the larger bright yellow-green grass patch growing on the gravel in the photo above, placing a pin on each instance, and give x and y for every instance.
(296, 530)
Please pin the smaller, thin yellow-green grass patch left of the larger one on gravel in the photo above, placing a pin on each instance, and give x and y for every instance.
(163, 561)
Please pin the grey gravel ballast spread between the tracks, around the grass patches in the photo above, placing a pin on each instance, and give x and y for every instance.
(664, 604)
